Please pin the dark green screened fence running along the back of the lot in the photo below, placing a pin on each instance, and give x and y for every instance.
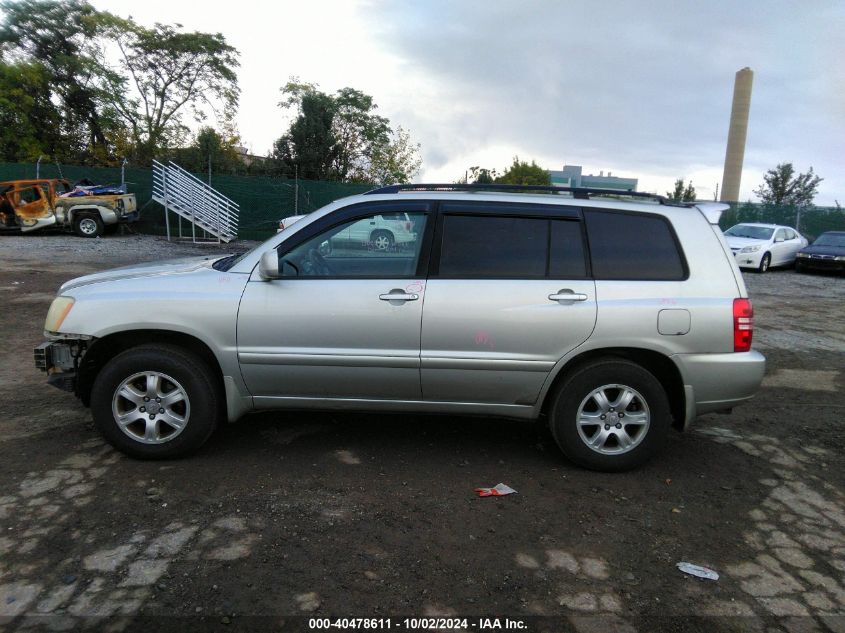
(264, 201)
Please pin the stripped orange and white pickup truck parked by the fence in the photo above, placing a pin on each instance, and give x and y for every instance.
(27, 205)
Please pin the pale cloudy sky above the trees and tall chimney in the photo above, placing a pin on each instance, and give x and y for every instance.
(641, 89)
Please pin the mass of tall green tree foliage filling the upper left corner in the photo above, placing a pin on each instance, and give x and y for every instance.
(135, 109)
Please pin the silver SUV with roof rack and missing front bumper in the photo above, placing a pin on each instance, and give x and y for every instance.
(615, 315)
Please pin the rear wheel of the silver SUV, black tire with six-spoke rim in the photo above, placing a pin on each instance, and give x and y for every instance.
(649, 403)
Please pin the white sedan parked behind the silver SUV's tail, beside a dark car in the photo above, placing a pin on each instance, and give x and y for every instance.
(761, 246)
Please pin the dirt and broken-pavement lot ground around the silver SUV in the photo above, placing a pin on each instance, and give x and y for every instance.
(285, 516)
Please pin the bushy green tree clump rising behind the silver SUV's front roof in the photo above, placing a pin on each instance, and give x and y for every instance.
(340, 137)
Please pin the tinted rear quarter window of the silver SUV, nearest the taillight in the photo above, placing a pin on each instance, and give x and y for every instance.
(633, 247)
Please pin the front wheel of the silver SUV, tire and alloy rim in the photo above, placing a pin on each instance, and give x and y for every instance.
(156, 402)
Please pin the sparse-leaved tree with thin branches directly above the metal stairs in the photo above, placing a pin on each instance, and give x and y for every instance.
(171, 73)
